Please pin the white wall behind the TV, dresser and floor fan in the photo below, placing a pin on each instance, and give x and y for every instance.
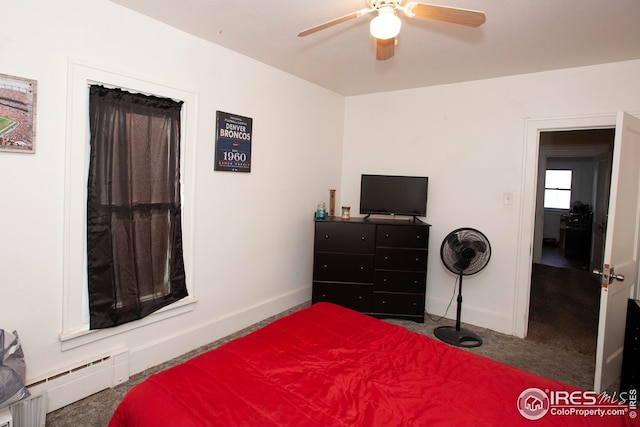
(469, 138)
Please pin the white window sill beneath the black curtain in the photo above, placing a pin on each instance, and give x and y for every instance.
(81, 337)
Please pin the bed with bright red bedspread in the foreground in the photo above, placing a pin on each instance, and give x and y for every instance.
(326, 365)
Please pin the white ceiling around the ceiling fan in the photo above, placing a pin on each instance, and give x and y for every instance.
(519, 36)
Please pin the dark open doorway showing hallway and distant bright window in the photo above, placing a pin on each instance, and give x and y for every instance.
(564, 294)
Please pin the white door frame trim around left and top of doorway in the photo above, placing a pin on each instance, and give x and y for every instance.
(528, 212)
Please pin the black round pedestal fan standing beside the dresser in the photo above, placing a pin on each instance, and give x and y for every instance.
(464, 251)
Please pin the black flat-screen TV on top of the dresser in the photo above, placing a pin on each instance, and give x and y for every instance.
(393, 195)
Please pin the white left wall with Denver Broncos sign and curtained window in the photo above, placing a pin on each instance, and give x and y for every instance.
(252, 250)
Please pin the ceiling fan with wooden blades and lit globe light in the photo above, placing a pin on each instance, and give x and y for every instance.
(386, 25)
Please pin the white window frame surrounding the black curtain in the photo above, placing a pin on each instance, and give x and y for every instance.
(75, 326)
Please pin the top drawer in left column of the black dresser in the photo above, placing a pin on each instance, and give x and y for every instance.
(345, 237)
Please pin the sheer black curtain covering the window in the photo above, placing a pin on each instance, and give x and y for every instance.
(134, 227)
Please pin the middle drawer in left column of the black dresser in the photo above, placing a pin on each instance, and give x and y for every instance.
(338, 267)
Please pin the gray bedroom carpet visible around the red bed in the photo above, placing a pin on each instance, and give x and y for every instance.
(542, 358)
